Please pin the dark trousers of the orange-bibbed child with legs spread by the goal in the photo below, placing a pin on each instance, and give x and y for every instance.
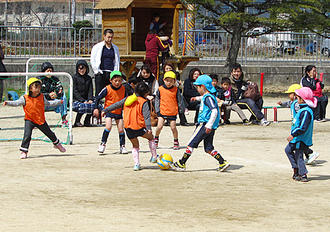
(28, 127)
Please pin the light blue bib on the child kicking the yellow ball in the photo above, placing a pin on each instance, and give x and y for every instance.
(205, 112)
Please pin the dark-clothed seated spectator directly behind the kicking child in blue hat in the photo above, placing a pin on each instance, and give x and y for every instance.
(189, 91)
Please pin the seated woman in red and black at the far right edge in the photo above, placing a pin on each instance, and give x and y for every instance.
(311, 81)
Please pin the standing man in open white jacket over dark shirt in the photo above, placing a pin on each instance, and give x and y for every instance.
(104, 59)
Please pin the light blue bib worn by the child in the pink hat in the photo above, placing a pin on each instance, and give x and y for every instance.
(302, 126)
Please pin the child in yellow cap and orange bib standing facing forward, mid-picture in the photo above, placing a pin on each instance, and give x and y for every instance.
(168, 103)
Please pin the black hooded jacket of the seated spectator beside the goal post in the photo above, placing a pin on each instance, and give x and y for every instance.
(82, 85)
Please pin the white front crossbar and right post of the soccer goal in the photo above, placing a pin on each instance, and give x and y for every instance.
(55, 74)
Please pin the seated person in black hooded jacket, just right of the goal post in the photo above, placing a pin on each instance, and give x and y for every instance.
(82, 94)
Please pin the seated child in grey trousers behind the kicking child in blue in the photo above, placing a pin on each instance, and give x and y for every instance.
(227, 97)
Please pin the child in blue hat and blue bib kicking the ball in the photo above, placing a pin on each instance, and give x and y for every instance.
(208, 119)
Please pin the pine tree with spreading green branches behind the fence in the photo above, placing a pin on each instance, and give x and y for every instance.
(239, 16)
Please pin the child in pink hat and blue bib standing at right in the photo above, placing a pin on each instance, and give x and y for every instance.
(301, 133)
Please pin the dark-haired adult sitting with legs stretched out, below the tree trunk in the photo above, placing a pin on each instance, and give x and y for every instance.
(253, 105)
